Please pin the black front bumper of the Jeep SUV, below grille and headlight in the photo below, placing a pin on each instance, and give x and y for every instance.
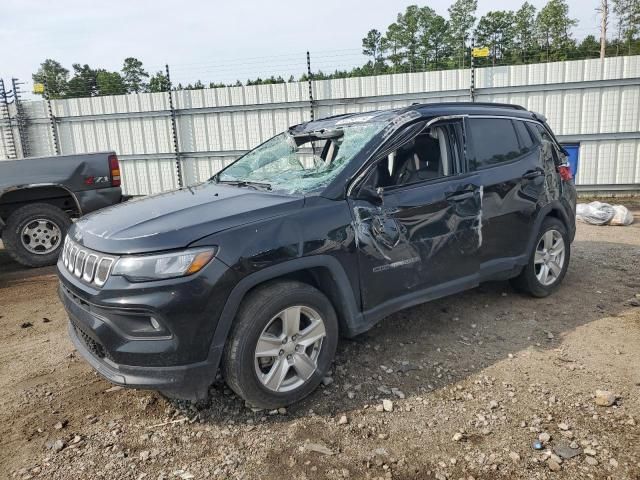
(110, 327)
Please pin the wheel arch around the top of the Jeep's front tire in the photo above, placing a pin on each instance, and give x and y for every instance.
(321, 271)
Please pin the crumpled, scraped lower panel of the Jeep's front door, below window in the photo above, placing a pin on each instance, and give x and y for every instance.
(419, 238)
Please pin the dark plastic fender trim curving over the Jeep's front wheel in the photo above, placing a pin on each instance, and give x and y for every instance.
(350, 311)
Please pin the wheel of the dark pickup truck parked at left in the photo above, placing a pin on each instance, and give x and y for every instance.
(34, 234)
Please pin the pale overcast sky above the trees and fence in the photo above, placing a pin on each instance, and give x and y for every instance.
(210, 40)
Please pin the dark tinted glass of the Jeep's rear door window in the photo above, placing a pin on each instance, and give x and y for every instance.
(493, 141)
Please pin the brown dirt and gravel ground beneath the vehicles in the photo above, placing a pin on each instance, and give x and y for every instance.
(474, 381)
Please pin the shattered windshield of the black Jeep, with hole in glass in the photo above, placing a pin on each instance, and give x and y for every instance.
(300, 162)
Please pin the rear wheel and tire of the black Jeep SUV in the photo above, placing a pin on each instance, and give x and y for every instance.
(532, 278)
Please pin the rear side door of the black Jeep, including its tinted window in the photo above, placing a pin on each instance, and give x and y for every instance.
(503, 153)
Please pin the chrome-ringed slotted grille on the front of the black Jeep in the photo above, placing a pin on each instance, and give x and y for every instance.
(90, 266)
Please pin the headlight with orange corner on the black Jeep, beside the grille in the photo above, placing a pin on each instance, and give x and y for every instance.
(144, 268)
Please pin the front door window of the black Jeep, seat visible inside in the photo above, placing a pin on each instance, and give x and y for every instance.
(429, 155)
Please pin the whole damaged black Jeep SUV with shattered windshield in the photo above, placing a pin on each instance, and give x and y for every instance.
(321, 231)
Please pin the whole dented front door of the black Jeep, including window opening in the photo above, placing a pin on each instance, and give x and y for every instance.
(420, 237)
